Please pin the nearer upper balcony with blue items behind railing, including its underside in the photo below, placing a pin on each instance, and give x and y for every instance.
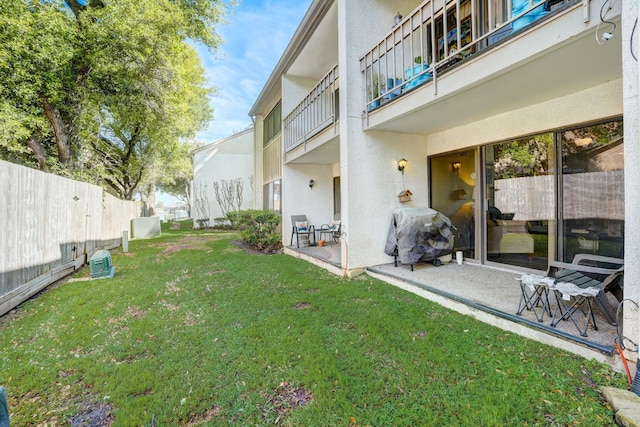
(478, 49)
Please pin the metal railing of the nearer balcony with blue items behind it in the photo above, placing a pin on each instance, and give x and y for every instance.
(438, 34)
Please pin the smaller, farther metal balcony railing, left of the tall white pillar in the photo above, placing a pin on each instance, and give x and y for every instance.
(317, 111)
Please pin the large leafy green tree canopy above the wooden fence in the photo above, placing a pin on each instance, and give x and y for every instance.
(104, 90)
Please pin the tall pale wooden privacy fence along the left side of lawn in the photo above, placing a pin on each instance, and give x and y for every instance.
(50, 227)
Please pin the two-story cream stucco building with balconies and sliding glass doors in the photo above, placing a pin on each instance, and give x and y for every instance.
(508, 115)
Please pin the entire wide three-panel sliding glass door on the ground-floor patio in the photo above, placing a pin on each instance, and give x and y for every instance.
(534, 199)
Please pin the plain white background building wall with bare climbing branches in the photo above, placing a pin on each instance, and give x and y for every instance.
(229, 160)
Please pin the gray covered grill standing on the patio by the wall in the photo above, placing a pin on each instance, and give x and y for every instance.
(419, 234)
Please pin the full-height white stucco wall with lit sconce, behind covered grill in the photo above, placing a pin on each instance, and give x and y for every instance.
(370, 180)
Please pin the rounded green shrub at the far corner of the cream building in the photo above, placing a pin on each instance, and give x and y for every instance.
(258, 228)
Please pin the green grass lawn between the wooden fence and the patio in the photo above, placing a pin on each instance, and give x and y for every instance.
(194, 331)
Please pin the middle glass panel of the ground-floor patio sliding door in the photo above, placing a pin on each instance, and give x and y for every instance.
(519, 201)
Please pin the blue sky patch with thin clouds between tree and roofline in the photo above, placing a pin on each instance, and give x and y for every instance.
(257, 33)
